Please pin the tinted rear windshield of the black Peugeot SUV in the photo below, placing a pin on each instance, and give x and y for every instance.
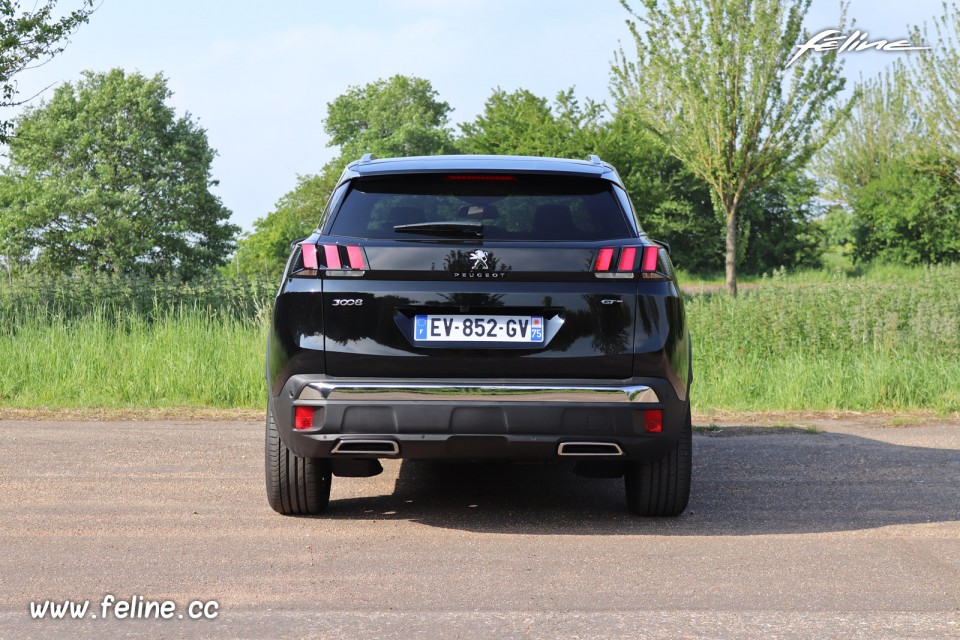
(510, 207)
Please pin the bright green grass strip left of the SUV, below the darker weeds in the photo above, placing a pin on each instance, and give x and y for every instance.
(185, 357)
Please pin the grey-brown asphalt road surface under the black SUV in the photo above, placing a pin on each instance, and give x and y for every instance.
(850, 533)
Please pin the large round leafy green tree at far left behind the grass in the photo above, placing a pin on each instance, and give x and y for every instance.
(105, 177)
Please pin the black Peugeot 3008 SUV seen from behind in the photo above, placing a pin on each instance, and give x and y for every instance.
(469, 307)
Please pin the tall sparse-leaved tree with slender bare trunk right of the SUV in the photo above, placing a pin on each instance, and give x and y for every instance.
(711, 82)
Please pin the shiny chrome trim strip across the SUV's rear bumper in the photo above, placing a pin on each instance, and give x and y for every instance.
(347, 391)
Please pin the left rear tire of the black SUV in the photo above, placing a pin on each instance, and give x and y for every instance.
(295, 486)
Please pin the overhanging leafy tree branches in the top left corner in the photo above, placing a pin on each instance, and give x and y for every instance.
(29, 38)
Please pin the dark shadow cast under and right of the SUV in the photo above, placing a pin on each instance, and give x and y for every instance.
(747, 481)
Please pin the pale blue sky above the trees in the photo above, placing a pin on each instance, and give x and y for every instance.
(258, 76)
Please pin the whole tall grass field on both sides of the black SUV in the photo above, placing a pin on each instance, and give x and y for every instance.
(841, 343)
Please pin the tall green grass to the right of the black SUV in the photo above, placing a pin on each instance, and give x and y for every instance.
(849, 344)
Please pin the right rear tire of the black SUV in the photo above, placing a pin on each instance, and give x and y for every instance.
(658, 488)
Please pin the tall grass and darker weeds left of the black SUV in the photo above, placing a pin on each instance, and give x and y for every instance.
(121, 342)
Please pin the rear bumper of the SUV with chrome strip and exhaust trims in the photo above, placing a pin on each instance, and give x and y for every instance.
(529, 420)
